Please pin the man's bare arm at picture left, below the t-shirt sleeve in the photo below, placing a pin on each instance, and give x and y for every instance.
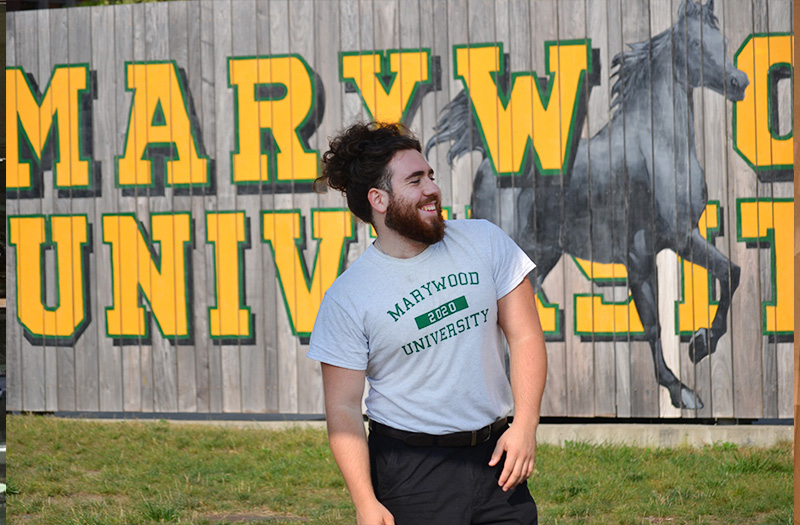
(344, 389)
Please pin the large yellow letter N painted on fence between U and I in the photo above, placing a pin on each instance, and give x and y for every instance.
(161, 278)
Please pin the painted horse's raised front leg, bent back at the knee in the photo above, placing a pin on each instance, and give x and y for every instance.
(700, 251)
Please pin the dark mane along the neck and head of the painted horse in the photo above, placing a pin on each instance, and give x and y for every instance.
(632, 68)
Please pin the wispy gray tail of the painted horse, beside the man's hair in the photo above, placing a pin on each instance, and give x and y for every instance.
(457, 125)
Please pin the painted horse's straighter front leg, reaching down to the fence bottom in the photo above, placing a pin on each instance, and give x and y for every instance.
(642, 282)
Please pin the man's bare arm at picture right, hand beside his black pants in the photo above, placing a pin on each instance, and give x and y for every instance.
(519, 321)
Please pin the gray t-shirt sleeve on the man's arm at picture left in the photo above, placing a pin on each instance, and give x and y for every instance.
(337, 338)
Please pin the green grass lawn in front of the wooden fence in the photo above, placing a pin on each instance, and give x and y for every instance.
(72, 471)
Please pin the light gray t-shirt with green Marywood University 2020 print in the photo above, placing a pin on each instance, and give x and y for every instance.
(425, 329)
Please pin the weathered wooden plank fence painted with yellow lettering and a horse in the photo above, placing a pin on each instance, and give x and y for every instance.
(166, 252)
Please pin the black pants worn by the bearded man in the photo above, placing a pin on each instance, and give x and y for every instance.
(445, 485)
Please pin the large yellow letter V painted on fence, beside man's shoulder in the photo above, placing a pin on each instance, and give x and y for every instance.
(302, 292)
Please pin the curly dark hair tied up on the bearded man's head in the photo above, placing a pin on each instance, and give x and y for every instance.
(357, 161)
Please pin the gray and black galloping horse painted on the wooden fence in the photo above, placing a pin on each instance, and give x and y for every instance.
(636, 187)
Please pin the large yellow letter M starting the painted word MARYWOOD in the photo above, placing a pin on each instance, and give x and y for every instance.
(49, 130)
